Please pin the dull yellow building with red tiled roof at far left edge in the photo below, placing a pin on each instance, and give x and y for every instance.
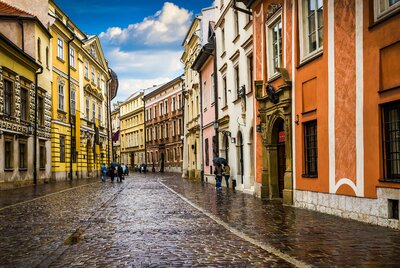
(25, 83)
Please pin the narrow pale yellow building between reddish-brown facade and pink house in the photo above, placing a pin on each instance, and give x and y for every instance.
(192, 146)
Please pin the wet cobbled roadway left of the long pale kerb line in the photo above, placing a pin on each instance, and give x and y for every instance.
(137, 223)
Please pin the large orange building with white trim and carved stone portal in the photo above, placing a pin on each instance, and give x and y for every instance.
(328, 120)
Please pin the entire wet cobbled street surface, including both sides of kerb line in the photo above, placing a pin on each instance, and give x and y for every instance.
(158, 220)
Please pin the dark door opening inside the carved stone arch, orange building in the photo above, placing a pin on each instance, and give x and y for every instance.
(278, 141)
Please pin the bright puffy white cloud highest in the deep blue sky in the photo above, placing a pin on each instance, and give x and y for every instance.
(168, 25)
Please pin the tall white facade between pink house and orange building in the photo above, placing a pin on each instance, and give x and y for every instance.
(234, 56)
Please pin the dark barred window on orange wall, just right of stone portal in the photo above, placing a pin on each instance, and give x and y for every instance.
(310, 149)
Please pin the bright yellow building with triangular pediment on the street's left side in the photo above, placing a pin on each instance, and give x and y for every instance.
(79, 131)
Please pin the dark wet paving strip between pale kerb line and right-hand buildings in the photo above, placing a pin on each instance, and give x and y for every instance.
(314, 238)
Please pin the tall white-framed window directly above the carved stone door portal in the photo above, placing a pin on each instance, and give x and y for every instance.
(274, 45)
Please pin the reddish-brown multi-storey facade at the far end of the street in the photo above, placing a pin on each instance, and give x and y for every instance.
(164, 121)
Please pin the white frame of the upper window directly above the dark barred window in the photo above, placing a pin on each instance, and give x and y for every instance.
(305, 53)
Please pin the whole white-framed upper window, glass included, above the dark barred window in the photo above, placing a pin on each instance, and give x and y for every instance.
(311, 28)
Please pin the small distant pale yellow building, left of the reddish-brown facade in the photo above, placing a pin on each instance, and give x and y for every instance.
(132, 130)
